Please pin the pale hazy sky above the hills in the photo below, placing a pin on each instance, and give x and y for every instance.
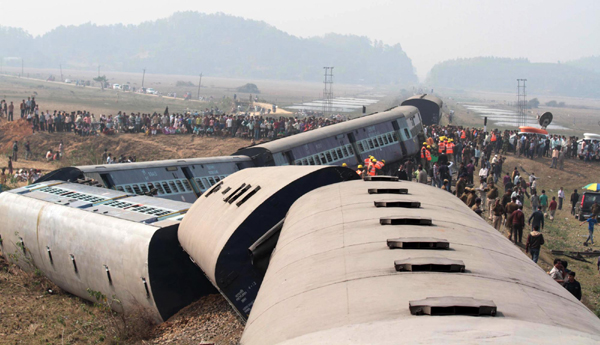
(429, 31)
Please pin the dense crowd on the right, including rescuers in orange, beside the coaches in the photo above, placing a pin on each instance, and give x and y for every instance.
(473, 160)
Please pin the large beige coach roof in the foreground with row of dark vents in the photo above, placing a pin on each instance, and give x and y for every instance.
(387, 262)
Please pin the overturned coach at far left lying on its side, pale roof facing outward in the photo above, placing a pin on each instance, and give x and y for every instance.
(92, 241)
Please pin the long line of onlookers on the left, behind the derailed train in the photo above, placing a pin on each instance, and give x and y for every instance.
(209, 122)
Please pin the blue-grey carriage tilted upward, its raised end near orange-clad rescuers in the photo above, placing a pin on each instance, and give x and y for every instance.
(391, 135)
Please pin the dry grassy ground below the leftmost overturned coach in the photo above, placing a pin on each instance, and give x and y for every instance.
(35, 311)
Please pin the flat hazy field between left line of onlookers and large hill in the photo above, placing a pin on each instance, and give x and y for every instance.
(272, 91)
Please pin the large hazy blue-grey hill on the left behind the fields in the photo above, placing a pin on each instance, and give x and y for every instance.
(215, 44)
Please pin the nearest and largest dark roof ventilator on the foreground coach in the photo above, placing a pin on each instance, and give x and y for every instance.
(439, 306)
